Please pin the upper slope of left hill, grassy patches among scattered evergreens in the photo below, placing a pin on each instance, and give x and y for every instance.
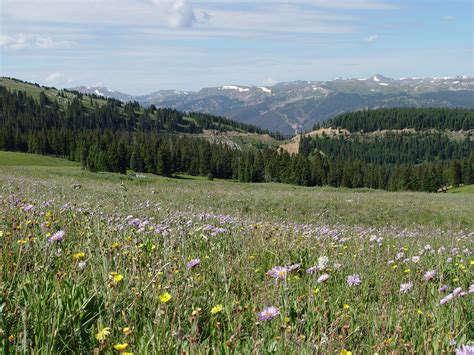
(106, 110)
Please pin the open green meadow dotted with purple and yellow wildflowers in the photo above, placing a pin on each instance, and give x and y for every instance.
(106, 263)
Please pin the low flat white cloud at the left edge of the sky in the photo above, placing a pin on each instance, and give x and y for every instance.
(22, 41)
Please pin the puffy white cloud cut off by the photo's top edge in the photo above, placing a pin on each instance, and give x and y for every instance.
(178, 13)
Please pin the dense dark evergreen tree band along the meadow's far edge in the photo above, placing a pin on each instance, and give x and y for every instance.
(103, 139)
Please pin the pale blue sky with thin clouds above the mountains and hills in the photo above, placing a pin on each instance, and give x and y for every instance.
(138, 46)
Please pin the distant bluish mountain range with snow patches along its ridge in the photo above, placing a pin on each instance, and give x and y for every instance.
(293, 106)
